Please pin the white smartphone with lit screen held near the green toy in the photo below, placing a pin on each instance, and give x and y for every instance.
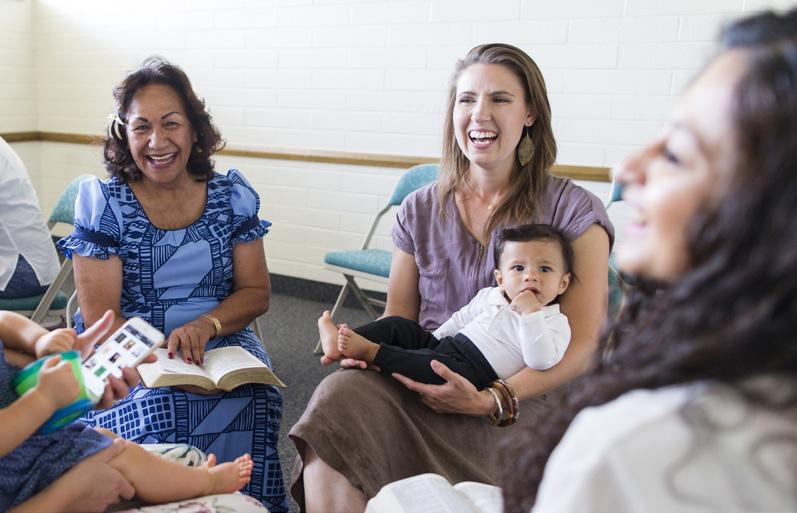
(127, 347)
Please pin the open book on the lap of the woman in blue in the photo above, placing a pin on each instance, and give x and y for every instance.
(224, 368)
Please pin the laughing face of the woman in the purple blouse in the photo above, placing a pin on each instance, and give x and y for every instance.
(490, 111)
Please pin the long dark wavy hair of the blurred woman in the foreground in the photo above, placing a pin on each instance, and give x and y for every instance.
(733, 316)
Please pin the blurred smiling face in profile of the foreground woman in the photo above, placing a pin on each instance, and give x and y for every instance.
(687, 168)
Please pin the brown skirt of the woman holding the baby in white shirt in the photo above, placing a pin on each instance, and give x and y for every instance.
(374, 431)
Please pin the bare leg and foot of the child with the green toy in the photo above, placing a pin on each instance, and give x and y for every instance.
(159, 480)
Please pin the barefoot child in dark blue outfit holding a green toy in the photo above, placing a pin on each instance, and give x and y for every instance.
(30, 461)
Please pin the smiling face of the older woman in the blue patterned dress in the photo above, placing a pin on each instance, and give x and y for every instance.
(159, 134)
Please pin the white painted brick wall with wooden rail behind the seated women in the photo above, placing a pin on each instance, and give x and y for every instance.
(348, 75)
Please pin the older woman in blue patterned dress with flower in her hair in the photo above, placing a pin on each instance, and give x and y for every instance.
(169, 240)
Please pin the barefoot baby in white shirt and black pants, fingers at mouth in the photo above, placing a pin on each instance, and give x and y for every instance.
(501, 331)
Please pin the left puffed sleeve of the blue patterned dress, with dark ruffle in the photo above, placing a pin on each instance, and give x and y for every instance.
(98, 222)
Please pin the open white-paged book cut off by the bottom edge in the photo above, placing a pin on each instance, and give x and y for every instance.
(432, 493)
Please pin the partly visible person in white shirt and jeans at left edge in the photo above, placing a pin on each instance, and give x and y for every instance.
(28, 260)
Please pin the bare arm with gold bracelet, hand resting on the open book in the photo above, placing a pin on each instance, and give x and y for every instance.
(249, 299)
